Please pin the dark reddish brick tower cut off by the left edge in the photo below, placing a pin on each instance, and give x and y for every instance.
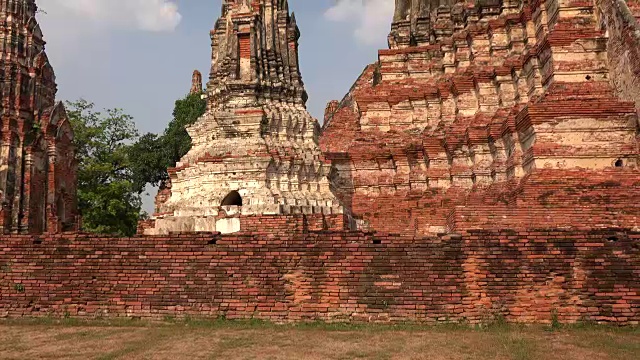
(37, 162)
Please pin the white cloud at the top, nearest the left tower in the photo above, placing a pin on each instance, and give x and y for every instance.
(148, 15)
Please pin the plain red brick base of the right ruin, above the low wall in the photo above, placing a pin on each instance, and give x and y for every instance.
(556, 198)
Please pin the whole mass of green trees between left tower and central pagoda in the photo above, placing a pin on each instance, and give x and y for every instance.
(115, 164)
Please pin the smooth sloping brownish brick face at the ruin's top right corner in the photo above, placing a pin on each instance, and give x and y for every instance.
(618, 17)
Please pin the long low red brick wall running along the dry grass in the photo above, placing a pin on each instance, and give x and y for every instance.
(475, 276)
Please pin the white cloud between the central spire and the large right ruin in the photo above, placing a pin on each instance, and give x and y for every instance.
(372, 18)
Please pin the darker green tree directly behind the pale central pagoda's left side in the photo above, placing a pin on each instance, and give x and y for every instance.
(152, 154)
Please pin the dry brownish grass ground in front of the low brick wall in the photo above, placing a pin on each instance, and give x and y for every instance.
(188, 340)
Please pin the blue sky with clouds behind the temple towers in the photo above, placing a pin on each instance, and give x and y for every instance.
(138, 55)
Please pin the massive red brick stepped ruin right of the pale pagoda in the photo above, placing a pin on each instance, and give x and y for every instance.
(494, 114)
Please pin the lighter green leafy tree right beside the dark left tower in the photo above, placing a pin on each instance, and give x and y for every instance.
(107, 198)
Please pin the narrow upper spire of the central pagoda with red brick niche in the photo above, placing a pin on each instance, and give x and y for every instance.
(255, 54)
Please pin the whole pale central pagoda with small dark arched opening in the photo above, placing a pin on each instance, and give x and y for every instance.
(255, 151)
